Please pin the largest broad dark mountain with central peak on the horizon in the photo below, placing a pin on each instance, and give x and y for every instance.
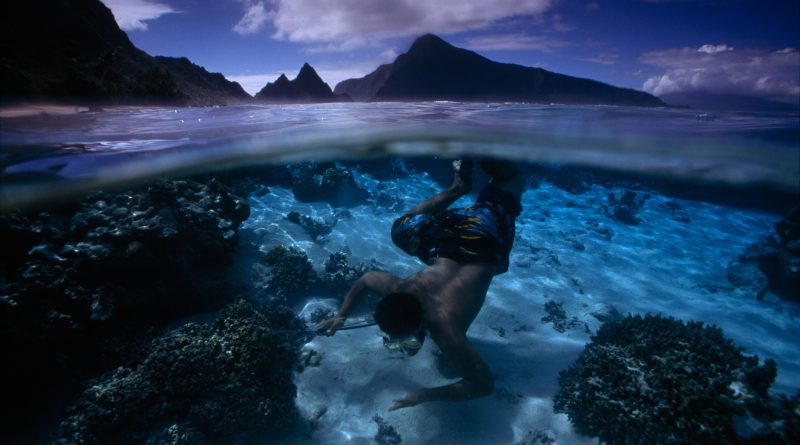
(433, 69)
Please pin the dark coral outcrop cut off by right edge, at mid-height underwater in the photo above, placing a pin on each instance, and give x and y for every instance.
(772, 264)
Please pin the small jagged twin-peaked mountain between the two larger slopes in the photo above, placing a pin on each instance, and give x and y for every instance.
(306, 87)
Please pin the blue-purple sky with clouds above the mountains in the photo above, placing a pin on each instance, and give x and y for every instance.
(660, 46)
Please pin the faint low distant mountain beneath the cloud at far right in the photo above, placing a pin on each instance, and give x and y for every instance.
(728, 102)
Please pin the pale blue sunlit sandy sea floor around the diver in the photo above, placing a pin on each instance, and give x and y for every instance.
(567, 250)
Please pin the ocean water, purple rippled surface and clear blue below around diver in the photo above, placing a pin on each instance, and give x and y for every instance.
(708, 186)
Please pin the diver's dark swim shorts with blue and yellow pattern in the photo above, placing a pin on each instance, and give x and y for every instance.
(481, 233)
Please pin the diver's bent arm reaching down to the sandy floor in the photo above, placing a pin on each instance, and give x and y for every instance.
(477, 379)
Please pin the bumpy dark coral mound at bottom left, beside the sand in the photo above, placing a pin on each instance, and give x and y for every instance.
(230, 383)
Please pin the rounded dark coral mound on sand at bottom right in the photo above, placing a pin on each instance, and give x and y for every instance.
(657, 380)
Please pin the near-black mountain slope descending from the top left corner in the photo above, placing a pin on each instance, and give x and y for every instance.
(74, 50)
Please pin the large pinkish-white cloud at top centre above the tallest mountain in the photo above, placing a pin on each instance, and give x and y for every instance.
(349, 24)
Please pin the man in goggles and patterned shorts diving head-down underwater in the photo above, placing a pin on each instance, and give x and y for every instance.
(464, 249)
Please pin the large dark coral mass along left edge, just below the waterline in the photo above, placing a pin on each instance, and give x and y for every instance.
(81, 282)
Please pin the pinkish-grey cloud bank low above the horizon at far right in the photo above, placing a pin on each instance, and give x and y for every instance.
(722, 69)
